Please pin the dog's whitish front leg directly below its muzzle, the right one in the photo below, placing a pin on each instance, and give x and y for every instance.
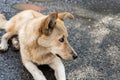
(59, 69)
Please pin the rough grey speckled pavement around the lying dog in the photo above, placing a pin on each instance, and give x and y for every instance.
(94, 34)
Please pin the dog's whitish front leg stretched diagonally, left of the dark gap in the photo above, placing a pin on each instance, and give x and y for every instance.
(32, 68)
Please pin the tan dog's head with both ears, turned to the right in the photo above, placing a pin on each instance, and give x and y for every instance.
(54, 35)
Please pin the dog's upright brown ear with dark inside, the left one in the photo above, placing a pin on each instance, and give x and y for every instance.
(49, 23)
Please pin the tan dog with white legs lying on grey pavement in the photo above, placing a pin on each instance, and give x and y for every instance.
(42, 39)
